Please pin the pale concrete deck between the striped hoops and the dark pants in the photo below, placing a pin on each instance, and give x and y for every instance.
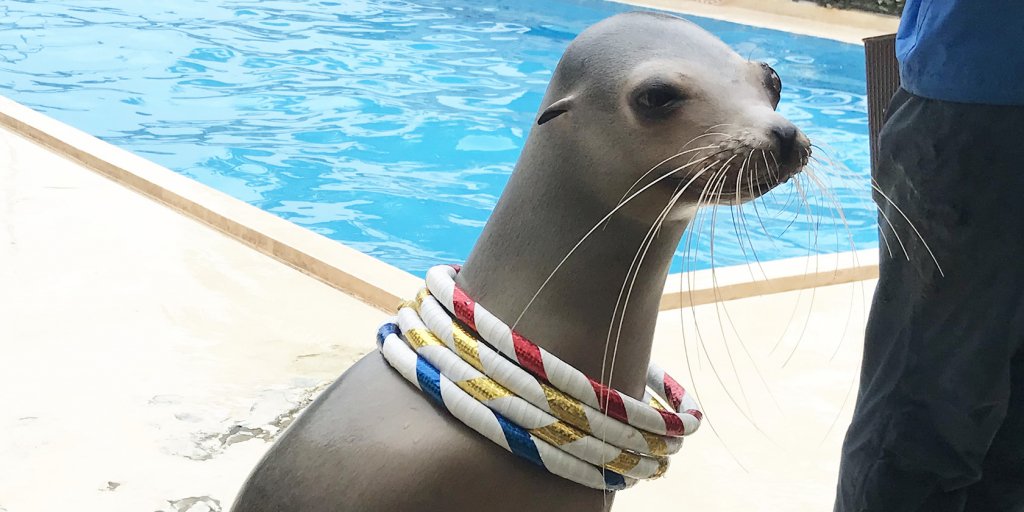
(772, 438)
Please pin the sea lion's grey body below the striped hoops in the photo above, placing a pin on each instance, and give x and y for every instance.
(372, 443)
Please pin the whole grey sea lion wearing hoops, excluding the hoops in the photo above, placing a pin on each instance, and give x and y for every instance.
(643, 106)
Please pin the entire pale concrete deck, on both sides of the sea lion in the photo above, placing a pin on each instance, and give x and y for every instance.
(149, 361)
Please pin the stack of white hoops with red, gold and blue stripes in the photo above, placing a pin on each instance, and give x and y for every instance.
(529, 402)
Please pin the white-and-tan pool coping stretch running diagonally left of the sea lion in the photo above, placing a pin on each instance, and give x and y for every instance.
(361, 276)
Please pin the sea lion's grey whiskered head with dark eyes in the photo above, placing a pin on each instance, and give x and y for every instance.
(659, 99)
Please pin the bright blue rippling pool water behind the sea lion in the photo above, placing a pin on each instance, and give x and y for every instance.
(391, 126)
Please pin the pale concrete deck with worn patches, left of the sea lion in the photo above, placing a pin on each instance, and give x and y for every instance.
(146, 356)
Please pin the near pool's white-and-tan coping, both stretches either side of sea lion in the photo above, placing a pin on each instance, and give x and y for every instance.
(364, 277)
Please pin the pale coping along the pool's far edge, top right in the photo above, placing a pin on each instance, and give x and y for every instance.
(798, 17)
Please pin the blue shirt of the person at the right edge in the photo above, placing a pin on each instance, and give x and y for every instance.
(968, 52)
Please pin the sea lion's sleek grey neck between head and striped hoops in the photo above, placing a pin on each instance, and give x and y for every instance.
(533, 228)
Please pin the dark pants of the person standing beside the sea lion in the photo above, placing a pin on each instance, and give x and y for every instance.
(940, 422)
